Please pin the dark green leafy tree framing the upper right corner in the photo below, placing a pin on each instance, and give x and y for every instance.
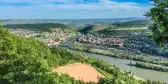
(159, 16)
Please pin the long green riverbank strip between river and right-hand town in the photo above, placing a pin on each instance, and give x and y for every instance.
(122, 55)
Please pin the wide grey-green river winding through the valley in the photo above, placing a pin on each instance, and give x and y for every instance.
(122, 64)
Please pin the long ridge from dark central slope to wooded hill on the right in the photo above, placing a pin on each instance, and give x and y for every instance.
(127, 24)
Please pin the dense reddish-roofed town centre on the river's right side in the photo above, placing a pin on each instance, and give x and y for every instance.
(99, 40)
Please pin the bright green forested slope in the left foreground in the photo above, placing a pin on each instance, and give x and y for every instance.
(27, 61)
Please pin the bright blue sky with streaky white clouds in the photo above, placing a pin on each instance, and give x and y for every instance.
(73, 9)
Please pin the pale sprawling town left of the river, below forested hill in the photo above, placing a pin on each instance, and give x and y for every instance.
(52, 38)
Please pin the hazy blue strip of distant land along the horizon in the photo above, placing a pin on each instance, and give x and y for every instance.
(66, 21)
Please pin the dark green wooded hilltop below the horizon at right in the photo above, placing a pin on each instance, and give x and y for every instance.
(136, 23)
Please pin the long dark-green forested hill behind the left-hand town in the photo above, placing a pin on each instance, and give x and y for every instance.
(37, 26)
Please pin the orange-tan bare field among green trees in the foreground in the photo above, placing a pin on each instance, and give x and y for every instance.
(80, 71)
